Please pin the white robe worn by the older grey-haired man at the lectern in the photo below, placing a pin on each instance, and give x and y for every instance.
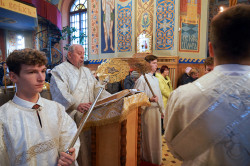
(71, 86)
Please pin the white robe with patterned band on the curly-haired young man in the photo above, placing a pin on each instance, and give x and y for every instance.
(23, 141)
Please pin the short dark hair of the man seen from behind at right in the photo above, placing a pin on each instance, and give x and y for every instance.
(230, 35)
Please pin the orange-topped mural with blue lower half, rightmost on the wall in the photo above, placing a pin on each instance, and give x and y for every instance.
(190, 25)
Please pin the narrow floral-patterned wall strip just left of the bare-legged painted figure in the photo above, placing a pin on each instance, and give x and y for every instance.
(94, 27)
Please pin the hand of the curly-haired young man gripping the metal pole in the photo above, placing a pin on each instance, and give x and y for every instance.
(67, 159)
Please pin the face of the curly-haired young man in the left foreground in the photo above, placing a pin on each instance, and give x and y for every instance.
(30, 80)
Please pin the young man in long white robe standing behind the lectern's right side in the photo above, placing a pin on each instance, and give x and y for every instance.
(151, 117)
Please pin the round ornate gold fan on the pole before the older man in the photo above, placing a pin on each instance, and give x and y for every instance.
(115, 69)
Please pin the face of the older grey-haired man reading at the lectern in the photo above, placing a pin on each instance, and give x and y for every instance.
(77, 57)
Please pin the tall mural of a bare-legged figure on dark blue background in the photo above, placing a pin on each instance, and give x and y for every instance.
(107, 26)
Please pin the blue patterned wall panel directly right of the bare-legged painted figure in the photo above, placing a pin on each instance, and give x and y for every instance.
(124, 27)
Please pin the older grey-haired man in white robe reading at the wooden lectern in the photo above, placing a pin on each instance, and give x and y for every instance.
(75, 87)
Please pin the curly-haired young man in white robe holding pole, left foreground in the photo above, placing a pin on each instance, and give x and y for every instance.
(33, 130)
